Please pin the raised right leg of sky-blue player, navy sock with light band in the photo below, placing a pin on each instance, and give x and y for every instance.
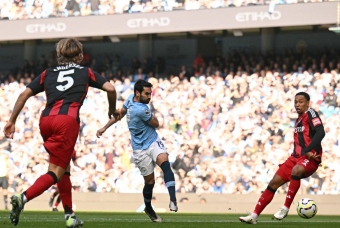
(169, 179)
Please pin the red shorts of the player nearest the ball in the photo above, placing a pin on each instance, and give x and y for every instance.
(285, 170)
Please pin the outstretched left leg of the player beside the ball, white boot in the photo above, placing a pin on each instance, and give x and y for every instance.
(280, 178)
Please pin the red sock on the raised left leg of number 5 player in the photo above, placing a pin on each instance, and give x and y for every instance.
(40, 185)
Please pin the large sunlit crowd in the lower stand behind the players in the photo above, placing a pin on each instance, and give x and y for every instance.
(227, 126)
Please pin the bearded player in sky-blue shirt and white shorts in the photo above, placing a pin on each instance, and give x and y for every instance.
(148, 148)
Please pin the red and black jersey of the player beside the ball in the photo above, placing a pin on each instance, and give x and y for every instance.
(304, 131)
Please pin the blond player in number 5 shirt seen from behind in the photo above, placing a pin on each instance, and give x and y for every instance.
(66, 88)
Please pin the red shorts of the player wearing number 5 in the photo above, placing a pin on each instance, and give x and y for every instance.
(60, 135)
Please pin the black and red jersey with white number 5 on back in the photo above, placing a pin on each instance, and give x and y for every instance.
(66, 88)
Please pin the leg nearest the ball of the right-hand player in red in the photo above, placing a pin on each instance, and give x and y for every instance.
(303, 168)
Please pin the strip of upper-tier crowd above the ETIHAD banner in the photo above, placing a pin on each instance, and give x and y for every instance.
(30, 9)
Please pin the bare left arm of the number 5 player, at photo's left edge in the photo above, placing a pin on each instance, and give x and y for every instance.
(19, 104)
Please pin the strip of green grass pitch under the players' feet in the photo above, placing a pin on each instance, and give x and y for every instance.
(30, 219)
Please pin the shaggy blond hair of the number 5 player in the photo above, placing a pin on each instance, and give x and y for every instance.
(69, 50)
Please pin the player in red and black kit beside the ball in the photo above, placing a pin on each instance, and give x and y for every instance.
(303, 162)
